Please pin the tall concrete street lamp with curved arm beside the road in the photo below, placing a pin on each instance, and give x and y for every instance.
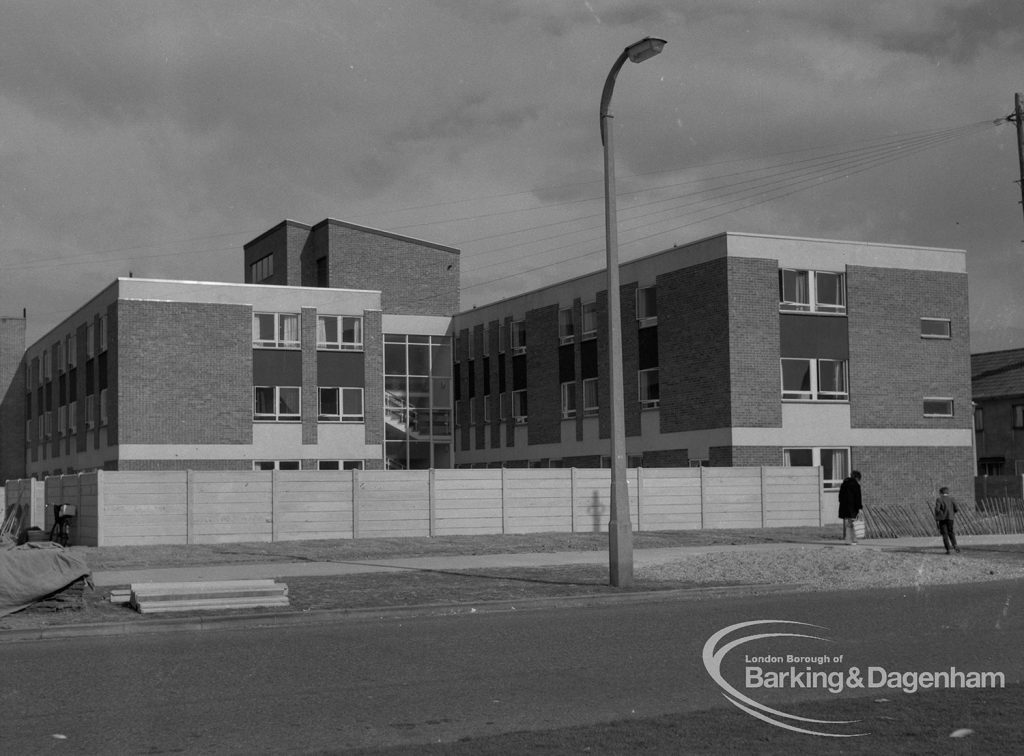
(620, 528)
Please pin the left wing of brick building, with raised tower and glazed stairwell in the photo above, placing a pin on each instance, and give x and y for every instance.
(286, 371)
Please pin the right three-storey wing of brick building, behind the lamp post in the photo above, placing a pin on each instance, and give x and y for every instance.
(739, 350)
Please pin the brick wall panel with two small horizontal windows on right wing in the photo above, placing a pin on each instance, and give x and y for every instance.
(892, 368)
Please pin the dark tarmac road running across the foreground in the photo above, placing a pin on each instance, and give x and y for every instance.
(369, 683)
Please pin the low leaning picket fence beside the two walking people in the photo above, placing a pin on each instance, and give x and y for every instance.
(992, 517)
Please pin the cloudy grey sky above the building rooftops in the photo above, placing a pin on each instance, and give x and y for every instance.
(158, 138)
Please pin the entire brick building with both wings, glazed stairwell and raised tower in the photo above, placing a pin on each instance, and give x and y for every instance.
(346, 348)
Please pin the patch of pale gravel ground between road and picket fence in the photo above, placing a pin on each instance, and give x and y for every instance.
(836, 568)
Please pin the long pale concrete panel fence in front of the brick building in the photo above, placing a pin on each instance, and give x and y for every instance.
(122, 509)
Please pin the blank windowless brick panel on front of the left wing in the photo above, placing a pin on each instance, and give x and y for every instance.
(186, 373)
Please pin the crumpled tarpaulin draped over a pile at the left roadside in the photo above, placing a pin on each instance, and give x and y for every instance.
(29, 574)
